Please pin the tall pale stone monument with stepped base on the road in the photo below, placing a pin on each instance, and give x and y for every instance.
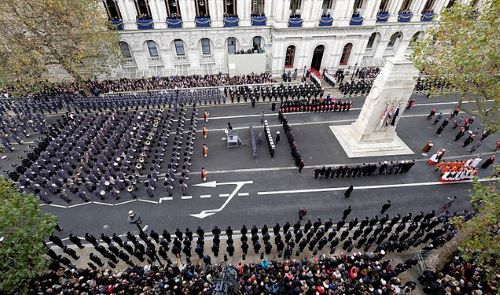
(374, 132)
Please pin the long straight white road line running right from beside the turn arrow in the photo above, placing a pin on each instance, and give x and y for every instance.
(366, 187)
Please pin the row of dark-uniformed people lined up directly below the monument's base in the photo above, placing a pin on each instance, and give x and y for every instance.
(380, 168)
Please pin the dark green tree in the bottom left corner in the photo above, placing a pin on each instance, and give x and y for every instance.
(23, 227)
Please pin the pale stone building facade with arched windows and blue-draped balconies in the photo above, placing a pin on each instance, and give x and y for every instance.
(181, 37)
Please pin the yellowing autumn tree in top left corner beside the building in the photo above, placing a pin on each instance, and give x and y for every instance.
(44, 40)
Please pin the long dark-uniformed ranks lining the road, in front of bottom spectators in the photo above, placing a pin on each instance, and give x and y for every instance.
(384, 233)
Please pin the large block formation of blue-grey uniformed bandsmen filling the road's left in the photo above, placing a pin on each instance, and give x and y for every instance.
(102, 155)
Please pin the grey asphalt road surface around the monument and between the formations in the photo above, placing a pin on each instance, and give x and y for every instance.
(267, 190)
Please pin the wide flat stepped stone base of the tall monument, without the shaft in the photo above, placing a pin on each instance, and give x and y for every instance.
(355, 149)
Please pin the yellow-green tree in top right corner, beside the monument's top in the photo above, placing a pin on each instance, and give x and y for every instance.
(463, 48)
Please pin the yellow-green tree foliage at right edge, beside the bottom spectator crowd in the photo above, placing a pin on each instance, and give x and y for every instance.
(481, 237)
